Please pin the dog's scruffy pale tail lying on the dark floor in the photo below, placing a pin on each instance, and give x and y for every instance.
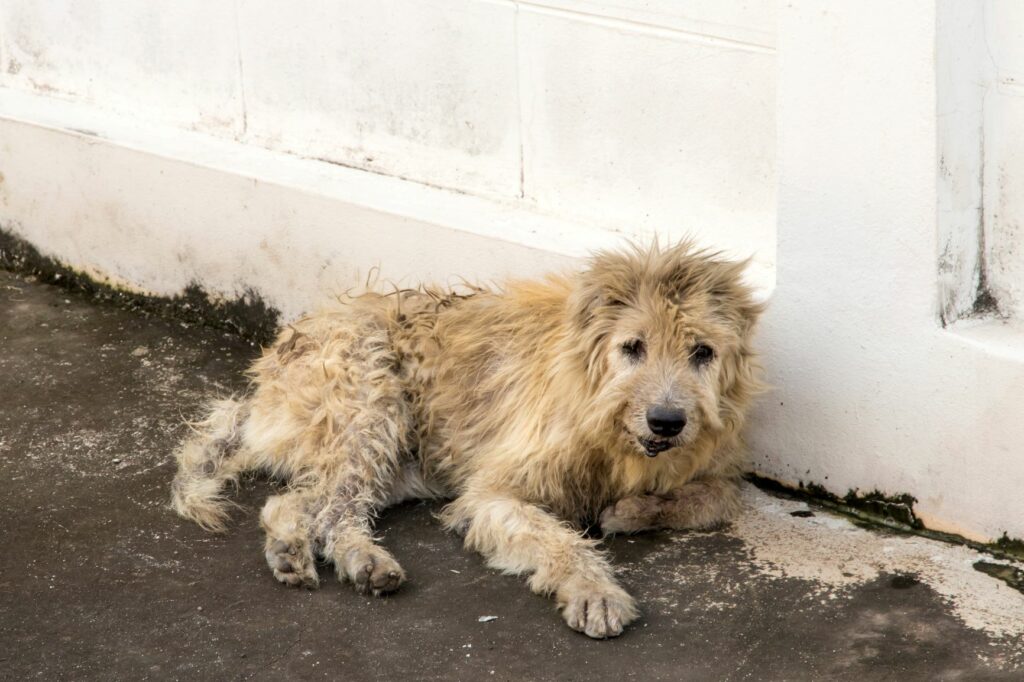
(208, 460)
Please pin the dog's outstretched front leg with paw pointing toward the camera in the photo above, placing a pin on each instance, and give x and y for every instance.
(520, 538)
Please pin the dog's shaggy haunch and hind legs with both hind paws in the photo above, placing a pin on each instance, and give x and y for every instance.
(332, 411)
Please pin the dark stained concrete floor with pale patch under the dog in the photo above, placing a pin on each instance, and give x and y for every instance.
(102, 581)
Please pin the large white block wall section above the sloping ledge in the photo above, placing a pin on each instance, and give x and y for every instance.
(560, 107)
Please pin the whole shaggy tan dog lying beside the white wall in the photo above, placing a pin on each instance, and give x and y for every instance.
(617, 394)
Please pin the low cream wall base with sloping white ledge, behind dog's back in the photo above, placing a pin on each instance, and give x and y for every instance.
(121, 203)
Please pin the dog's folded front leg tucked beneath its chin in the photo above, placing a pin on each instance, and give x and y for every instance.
(700, 504)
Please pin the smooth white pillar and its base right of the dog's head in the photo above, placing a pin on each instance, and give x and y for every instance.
(872, 392)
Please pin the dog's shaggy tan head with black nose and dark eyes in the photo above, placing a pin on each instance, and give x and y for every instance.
(667, 335)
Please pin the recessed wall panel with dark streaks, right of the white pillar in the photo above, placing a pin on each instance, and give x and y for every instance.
(980, 67)
